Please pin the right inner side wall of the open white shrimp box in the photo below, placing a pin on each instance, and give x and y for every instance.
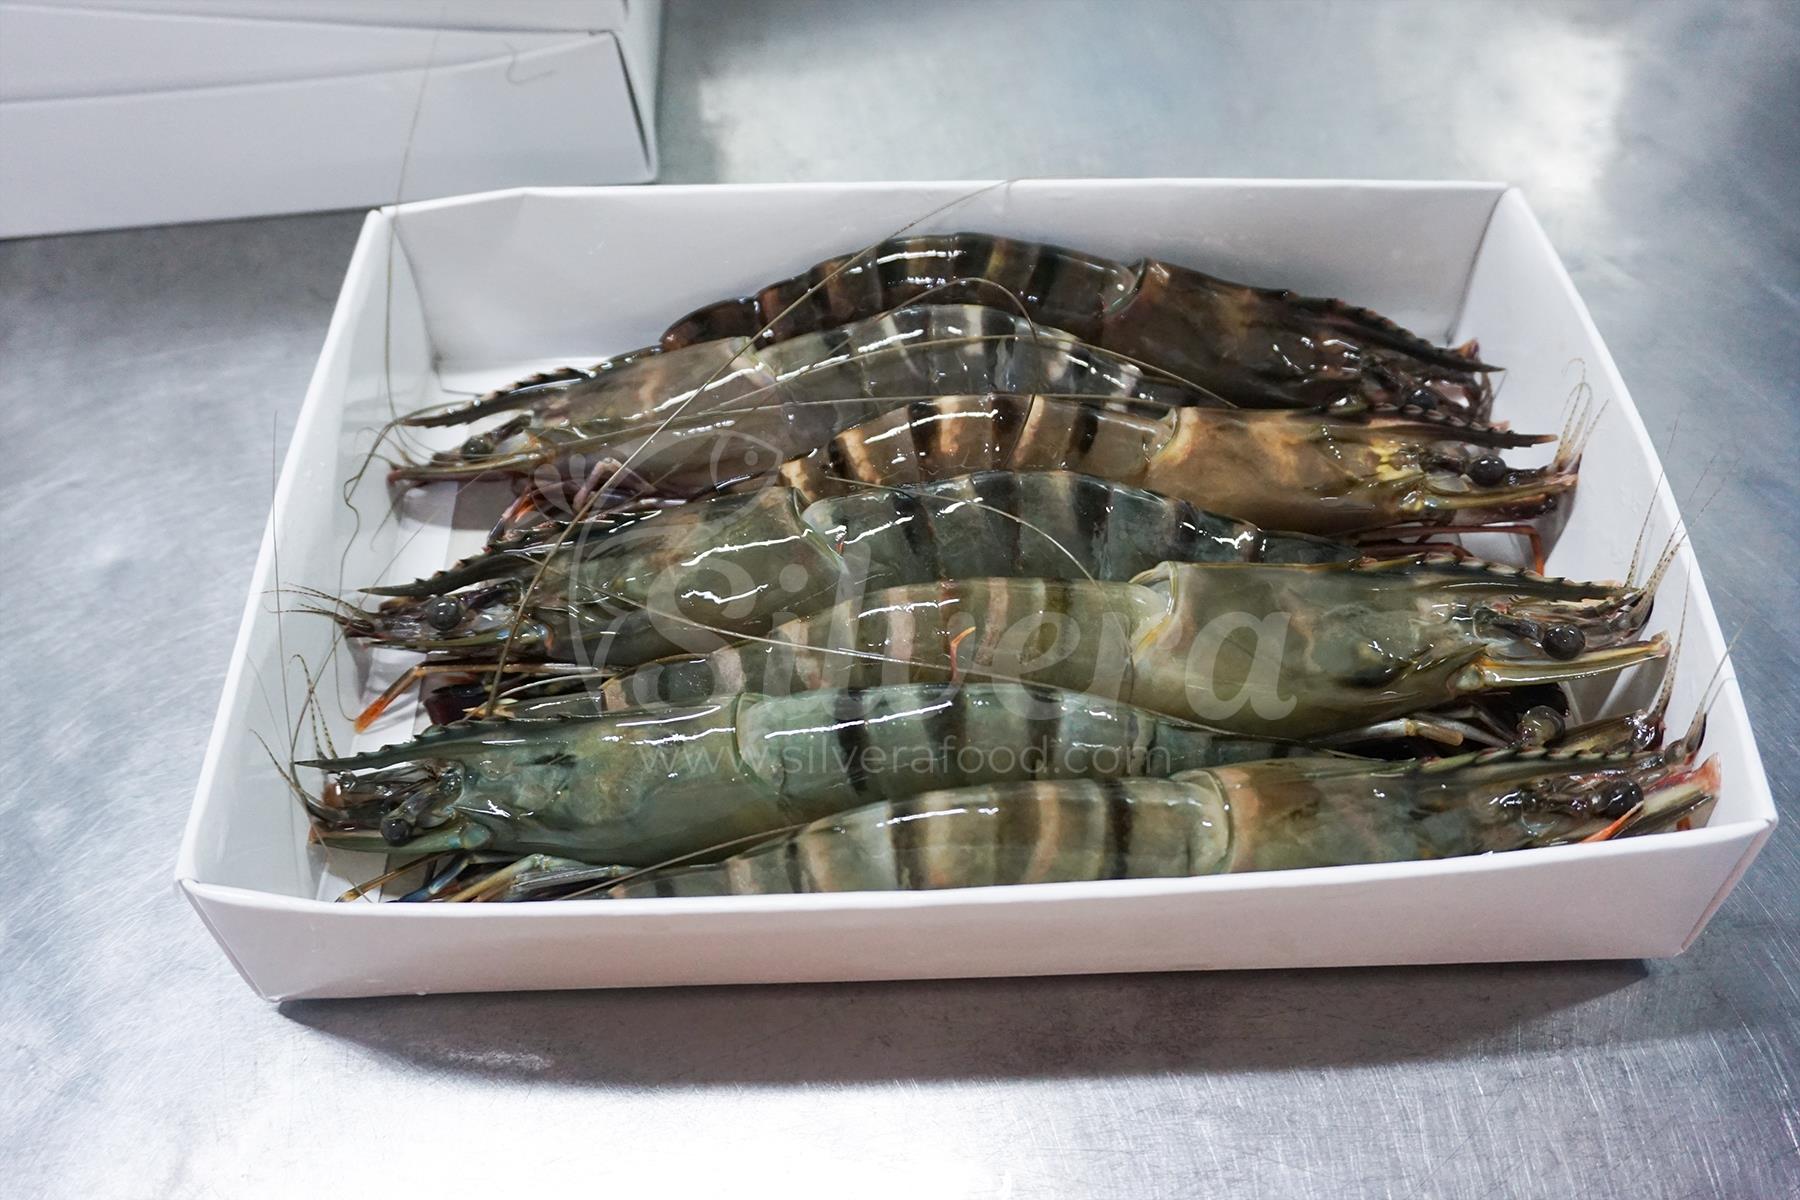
(1529, 318)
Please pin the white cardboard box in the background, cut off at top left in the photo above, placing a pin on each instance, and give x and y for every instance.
(141, 112)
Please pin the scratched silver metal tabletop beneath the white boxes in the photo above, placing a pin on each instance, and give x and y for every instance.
(148, 381)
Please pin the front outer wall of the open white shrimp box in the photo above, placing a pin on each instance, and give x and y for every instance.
(1545, 909)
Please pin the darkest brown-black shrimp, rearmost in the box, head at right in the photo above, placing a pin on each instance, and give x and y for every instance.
(1252, 346)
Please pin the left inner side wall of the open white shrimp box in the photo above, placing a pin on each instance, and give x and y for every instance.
(247, 828)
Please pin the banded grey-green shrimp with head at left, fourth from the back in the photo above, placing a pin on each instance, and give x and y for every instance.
(647, 586)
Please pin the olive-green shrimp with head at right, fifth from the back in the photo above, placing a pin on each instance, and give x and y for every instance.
(1261, 650)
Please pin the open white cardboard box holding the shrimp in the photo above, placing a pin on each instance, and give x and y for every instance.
(489, 287)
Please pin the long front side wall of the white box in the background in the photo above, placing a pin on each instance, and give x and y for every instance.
(323, 143)
